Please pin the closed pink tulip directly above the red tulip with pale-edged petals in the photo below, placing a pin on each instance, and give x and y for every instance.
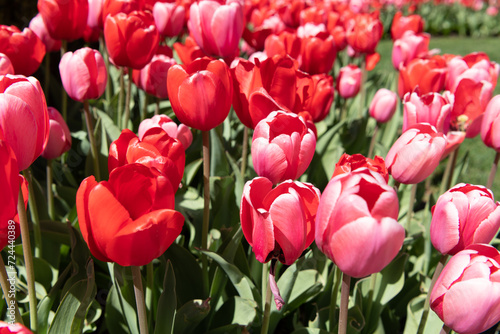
(282, 147)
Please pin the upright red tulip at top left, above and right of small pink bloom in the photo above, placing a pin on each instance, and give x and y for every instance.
(131, 39)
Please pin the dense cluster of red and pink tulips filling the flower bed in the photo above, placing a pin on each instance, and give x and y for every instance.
(274, 64)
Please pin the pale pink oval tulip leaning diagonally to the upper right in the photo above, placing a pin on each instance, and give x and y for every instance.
(416, 153)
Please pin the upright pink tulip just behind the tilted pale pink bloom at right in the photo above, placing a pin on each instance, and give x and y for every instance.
(429, 108)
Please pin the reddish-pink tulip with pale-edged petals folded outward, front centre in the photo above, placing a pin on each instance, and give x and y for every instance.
(278, 223)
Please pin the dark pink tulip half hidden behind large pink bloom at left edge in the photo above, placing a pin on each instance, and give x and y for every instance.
(59, 136)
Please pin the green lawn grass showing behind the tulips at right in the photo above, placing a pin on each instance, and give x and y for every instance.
(479, 157)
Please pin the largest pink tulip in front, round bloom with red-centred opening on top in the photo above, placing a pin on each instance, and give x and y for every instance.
(356, 223)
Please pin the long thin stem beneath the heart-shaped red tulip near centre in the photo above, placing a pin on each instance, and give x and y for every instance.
(206, 204)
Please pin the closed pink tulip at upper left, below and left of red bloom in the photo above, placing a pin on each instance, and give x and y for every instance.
(83, 74)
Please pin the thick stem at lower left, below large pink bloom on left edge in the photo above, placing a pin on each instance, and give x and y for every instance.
(28, 260)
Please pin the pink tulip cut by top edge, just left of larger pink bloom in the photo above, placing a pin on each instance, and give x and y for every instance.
(169, 18)
